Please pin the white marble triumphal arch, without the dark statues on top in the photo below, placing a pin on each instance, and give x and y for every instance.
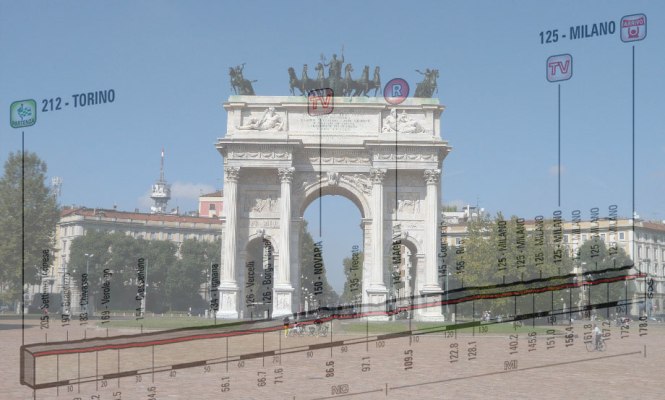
(278, 159)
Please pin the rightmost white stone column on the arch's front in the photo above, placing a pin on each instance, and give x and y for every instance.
(430, 284)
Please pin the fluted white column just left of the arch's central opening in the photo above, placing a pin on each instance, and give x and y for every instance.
(283, 289)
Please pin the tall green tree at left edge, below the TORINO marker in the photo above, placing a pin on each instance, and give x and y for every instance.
(41, 214)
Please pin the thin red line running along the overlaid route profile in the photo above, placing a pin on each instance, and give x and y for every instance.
(351, 316)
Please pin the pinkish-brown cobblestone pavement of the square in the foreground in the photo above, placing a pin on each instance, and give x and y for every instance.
(436, 366)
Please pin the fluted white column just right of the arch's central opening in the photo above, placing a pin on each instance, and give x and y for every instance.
(376, 289)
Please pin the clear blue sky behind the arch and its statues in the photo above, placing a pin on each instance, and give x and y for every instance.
(167, 63)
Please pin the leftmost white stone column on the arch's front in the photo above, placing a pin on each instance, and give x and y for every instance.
(228, 288)
